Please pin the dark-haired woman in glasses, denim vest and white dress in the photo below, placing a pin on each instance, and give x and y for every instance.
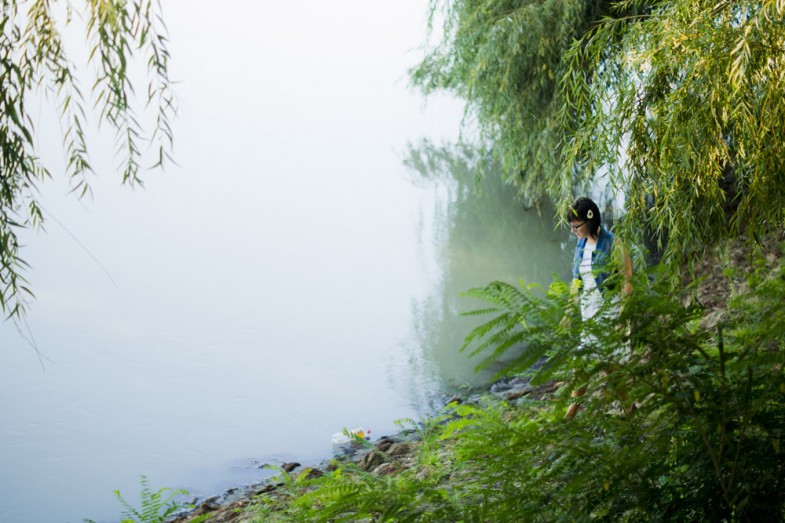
(593, 262)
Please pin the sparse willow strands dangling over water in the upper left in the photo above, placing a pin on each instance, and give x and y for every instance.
(34, 64)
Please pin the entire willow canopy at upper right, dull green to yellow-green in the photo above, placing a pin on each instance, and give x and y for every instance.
(677, 103)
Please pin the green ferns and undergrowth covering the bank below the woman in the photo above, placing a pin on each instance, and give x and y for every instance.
(703, 442)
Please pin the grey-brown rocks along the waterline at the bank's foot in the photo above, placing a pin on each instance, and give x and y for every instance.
(387, 455)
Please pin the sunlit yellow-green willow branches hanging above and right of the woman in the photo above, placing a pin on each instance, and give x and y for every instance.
(684, 106)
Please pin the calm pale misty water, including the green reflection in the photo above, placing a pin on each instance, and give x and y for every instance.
(296, 274)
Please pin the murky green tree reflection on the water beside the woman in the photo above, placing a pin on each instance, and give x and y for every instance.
(482, 233)
